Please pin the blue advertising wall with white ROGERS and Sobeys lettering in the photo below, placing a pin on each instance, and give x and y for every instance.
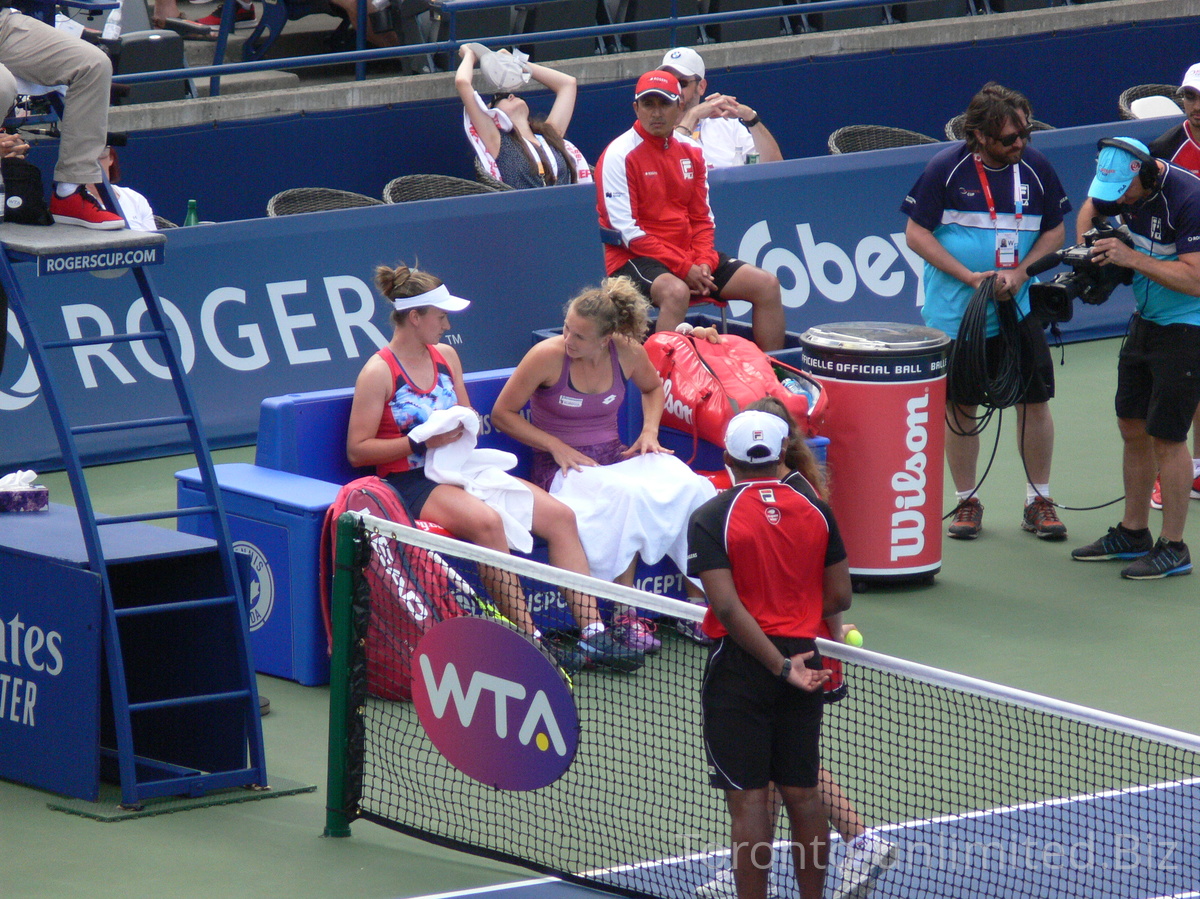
(285, 305)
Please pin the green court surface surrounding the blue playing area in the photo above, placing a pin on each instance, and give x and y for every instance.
(1005, 608)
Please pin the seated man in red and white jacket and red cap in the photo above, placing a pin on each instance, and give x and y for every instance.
(653, 203)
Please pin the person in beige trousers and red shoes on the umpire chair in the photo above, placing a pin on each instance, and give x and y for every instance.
(40, 55)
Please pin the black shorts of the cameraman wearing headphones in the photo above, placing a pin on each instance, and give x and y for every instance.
(1159, 377)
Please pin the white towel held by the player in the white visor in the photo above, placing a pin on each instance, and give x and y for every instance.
(481, 472)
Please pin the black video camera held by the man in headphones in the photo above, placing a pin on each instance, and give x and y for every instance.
(1088, 280)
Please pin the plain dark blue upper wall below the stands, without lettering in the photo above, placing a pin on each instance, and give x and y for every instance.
(235, 169)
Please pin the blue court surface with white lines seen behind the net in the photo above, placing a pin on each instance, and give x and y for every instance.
(1034, 850)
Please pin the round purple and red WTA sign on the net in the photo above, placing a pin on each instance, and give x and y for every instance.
(494, 705)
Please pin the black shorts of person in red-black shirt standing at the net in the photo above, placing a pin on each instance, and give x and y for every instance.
(759, 730)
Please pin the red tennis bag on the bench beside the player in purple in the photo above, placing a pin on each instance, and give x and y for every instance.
(706, 385)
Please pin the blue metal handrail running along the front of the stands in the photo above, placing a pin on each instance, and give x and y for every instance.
(452, 7)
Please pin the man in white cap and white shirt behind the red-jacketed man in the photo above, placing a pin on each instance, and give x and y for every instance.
(730, 133)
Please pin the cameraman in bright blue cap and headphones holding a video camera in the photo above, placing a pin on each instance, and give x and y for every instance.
(1159, 369)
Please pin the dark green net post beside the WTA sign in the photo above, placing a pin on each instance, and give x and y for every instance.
(338, 823)
